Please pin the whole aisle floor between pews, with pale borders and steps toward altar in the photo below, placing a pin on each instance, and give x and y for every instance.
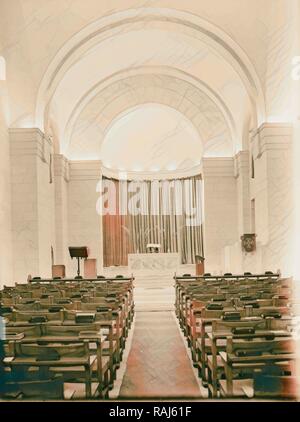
(156, 364)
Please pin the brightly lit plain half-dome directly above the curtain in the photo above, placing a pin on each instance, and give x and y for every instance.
(152, 138)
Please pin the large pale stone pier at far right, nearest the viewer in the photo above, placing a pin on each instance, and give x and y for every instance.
(272, 189)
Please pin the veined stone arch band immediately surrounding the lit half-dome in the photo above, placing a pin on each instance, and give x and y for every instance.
(91, 119)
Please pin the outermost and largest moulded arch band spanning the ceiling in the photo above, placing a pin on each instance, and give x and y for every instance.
(109, 26)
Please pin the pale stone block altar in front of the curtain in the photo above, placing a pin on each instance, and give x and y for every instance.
(153, 263)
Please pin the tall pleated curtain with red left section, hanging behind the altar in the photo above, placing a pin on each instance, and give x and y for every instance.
(168, 213)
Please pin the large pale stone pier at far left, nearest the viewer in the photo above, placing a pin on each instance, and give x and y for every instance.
(32, 194)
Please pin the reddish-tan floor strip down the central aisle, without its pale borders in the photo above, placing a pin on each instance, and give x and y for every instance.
(158, 365)
